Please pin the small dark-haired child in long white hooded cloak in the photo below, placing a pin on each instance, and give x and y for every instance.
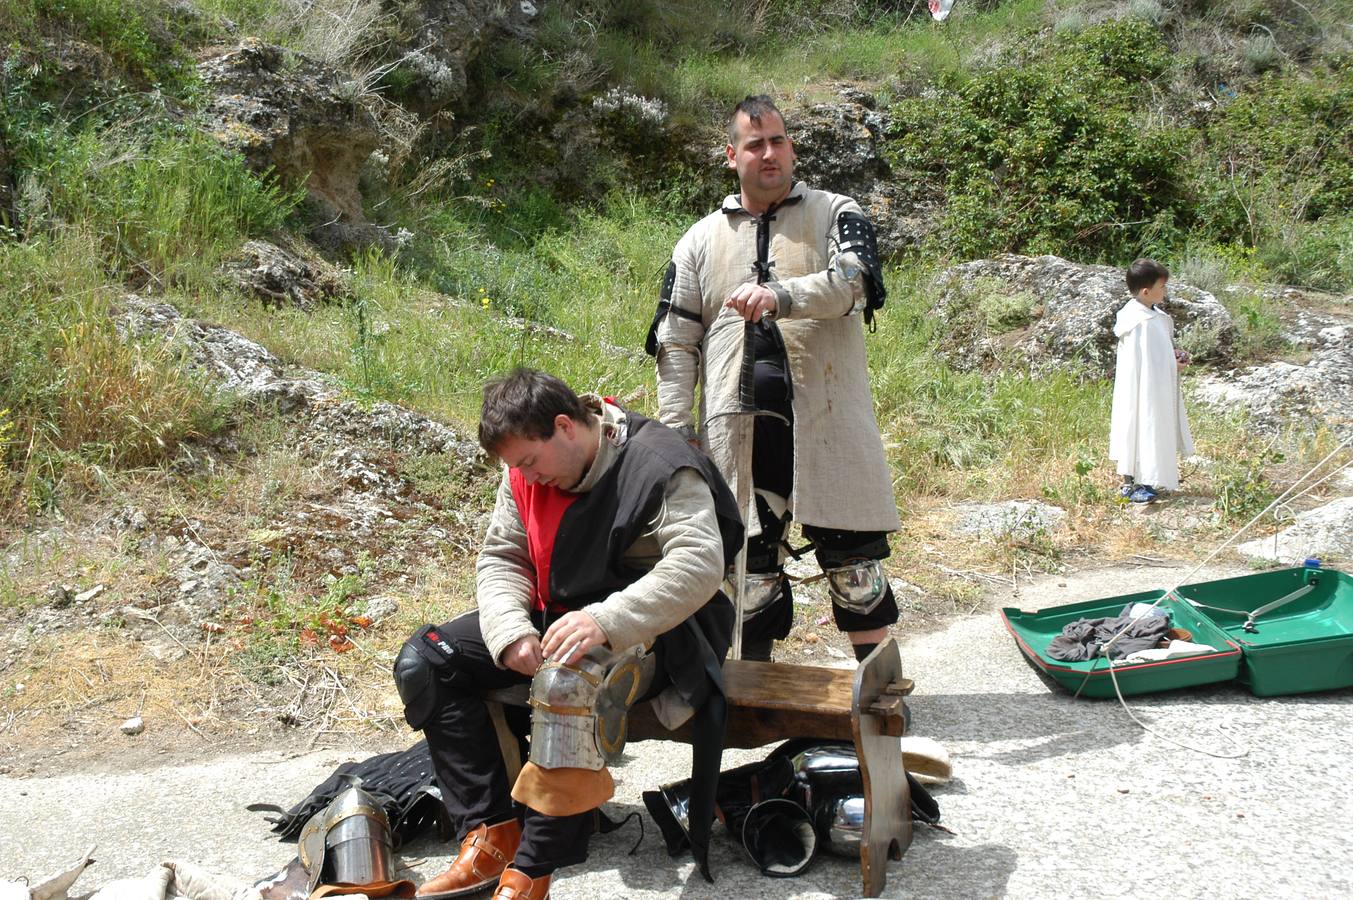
(1149, 428)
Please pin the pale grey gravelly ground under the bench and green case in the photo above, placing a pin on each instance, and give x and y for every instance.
(1052, 796)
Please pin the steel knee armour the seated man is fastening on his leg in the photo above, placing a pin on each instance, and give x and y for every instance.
(580, 711)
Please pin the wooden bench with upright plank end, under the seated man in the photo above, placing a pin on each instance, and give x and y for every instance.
(769, 703)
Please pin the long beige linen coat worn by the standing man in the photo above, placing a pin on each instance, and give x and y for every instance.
(841, 473)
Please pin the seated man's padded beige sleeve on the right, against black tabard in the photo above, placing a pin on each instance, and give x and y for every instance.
(688, 570)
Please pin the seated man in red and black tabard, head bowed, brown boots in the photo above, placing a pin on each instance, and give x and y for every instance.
(610, 533)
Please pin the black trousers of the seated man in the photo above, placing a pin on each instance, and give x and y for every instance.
(469, 764)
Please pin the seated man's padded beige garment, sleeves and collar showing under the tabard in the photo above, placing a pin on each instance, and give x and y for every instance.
(681, 549)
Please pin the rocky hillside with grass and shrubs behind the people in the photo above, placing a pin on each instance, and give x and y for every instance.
(258, 258)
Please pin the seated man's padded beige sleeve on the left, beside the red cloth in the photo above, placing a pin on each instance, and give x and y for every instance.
(505, 577)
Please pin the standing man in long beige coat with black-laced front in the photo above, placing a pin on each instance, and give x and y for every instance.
(791, 277)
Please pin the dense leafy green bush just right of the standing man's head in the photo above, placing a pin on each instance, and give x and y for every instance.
(1051, 155)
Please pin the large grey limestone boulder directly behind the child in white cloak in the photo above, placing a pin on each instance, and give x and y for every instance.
(1048, 313)
